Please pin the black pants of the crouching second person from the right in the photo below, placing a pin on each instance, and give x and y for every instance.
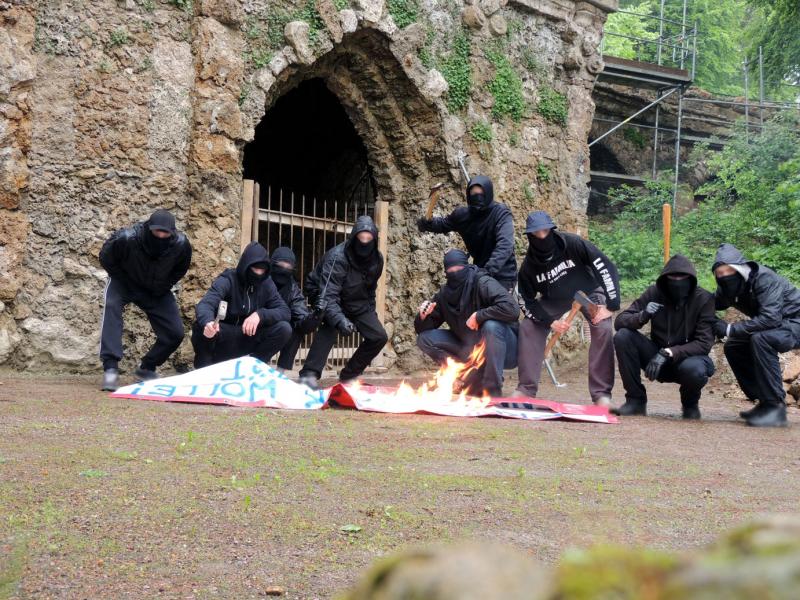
(634, 351)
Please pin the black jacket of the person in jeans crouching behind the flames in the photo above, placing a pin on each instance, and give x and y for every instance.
(489, 300)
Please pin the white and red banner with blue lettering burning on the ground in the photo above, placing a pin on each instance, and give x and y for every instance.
(247, 381)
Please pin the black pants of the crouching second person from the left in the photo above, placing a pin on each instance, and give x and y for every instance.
(231, 342)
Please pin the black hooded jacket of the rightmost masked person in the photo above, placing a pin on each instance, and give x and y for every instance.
(768, 299)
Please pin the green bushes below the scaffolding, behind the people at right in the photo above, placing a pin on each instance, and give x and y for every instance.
(752, 201)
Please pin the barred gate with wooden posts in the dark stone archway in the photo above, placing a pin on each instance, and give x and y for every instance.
(310, 226)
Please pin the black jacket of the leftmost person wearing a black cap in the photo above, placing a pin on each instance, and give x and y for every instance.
(125, 258)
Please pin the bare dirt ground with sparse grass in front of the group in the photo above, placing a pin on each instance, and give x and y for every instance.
(126, 499)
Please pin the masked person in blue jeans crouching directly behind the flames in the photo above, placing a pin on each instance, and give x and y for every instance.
(475, 307)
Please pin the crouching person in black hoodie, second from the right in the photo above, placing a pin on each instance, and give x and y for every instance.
(681, 317)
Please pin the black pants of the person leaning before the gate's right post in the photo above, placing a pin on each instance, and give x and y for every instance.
(374, 339)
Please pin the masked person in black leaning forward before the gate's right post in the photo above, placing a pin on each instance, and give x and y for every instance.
(345, 282)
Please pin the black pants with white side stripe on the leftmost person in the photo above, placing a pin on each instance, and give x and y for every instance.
(164, 317)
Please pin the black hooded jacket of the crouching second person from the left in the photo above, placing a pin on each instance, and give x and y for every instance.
(243, 298)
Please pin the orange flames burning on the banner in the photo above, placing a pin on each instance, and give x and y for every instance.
(447, 384)
